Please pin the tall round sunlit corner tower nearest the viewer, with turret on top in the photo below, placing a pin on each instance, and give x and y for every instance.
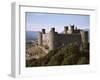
(51, 38)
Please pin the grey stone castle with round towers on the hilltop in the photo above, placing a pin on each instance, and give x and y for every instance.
(53, 40)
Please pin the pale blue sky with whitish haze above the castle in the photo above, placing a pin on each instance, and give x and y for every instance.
(38, 21)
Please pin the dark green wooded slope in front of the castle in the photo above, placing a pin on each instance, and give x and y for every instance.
(71, 54)
